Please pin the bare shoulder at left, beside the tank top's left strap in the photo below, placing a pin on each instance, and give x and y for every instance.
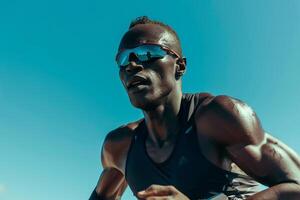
(116, 146)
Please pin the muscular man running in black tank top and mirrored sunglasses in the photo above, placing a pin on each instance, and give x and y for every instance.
(187, 146)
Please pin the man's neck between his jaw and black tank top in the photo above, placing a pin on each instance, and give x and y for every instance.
(162, 122)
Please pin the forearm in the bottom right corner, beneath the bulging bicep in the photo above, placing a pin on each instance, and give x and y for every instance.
(283, 191)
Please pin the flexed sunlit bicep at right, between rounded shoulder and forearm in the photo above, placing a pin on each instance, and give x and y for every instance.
(269, 162)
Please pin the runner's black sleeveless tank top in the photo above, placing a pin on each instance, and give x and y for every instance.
(186, 168)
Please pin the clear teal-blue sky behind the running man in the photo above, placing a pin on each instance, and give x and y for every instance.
(60, 93)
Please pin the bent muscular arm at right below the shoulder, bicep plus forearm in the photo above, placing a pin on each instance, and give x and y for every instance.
(272, 164)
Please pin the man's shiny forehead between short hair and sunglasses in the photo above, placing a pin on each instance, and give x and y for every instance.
(147, 33)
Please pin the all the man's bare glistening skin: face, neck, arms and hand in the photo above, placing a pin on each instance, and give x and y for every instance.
(223, 124)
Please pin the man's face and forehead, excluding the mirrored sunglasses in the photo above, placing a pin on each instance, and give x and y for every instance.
(149, 84)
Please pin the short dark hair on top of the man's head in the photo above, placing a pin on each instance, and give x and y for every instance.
(147, 20)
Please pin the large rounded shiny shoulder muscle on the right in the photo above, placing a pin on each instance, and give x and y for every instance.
(228, 121)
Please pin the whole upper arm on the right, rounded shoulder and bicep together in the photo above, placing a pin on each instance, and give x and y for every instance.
(235, 126)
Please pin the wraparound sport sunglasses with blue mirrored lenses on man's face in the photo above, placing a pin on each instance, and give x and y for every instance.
(143, 53)
